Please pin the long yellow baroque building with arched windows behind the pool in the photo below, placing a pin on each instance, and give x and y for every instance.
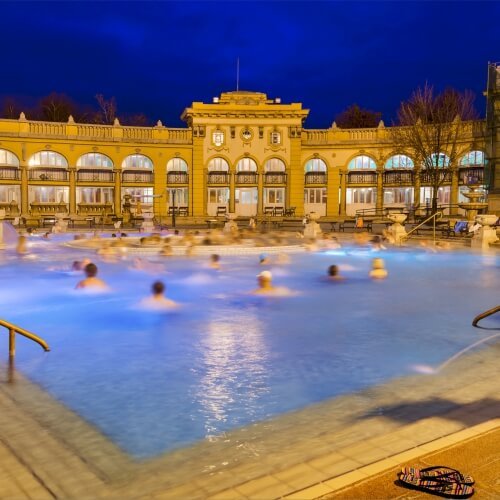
(241, 153)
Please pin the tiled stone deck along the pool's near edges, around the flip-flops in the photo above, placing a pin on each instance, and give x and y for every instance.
(47, 451)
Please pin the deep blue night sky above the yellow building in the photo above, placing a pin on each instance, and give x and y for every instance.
(158, 57)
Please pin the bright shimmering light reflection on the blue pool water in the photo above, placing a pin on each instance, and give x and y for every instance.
(234, 372)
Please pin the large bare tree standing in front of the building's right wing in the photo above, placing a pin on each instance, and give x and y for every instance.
(430, 129)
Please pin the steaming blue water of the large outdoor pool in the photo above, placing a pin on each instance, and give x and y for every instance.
(156, 381)
